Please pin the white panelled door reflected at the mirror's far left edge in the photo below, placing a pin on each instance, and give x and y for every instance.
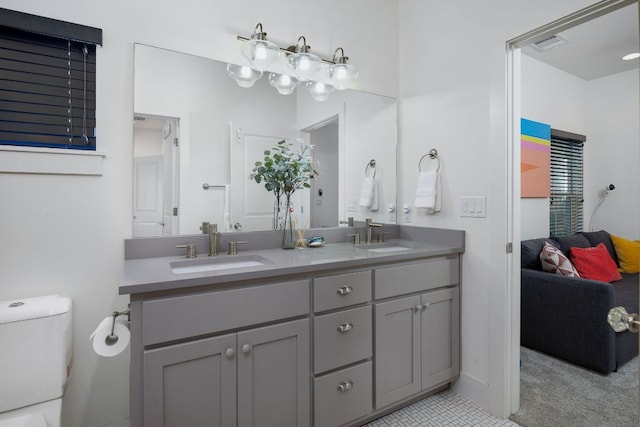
(147, 196)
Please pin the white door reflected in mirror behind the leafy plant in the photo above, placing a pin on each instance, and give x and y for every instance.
(251, 204)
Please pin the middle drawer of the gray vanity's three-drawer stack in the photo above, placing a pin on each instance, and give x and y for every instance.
(342, 338)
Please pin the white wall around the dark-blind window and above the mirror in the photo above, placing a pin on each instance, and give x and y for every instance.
(64, 234)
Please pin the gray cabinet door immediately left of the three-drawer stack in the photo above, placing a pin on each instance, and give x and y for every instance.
(274, 376)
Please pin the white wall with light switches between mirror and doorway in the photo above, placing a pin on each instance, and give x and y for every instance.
(453, 92)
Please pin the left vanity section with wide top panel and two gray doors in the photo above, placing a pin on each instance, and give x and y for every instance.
(238, 356)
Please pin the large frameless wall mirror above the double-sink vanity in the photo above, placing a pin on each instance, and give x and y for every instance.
(197, 136)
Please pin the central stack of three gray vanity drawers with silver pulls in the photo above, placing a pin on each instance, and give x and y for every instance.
(343, 348)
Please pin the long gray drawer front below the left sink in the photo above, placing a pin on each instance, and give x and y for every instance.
(205, 313)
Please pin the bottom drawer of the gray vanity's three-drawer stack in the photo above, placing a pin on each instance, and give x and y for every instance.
(343, 396)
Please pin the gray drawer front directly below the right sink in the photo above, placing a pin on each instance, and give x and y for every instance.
(416, 277)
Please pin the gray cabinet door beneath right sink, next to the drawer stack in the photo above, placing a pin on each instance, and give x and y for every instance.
(398, 349)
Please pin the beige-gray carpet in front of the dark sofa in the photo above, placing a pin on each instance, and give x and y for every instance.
(557, 393)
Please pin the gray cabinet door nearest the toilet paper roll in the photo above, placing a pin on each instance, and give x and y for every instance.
(191, 384)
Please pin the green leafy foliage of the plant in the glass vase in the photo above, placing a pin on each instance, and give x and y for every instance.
(284, 170)
